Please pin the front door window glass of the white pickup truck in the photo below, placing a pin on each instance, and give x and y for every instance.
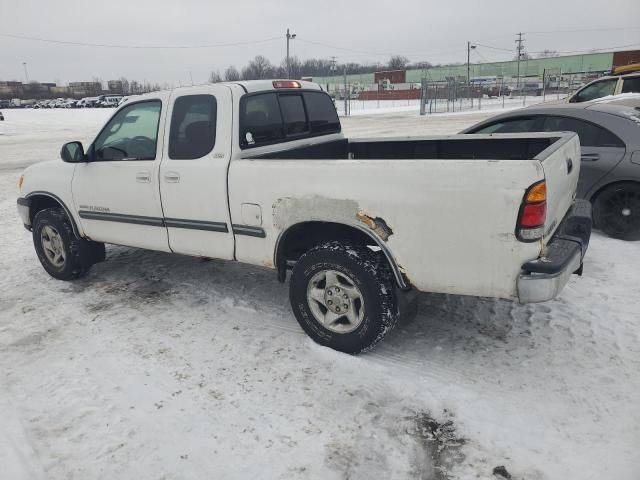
(132, 134)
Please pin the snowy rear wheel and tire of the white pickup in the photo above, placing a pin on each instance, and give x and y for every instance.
(362, 281)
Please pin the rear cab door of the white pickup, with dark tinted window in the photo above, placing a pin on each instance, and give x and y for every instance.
(193, 173)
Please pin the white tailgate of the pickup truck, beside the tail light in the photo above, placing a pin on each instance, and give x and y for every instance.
(561, 165)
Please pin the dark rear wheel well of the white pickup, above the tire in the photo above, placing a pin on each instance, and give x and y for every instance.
(301, 237)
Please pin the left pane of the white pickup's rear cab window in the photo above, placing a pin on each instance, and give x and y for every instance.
(260, 120)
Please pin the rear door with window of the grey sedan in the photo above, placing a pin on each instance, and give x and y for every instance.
(601, 149)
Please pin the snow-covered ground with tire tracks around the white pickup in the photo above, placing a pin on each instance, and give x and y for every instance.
(161, 366)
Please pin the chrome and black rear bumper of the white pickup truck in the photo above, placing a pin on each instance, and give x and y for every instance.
(544, 278)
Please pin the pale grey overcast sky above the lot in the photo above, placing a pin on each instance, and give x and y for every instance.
(436, 31)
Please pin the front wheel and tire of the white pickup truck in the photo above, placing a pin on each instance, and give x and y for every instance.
(63, 255)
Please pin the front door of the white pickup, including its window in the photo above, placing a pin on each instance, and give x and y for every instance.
(116, 193)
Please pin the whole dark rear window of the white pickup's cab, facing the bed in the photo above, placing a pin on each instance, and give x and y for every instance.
(276, 117)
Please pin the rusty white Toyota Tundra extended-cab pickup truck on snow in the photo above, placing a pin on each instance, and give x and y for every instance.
(259, 172)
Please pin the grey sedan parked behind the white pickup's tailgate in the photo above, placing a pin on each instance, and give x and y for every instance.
(609, 134)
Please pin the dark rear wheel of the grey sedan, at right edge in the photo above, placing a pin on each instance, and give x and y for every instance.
(616, 211)
